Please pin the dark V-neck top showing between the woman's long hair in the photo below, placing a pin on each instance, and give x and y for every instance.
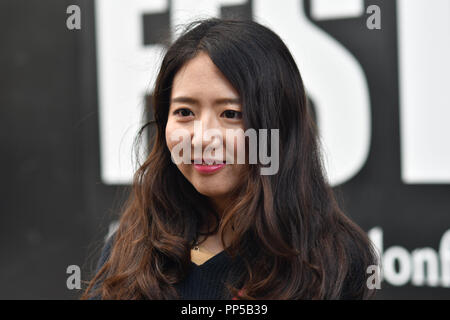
(205, 281)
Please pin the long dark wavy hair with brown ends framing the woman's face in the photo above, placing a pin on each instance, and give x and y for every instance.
(288, 228)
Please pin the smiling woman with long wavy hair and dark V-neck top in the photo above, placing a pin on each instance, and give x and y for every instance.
(202, 229)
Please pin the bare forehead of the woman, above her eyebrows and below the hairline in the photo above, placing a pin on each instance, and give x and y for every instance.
(200, 77)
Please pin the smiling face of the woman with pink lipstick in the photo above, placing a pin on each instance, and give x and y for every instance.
(202, 95)
